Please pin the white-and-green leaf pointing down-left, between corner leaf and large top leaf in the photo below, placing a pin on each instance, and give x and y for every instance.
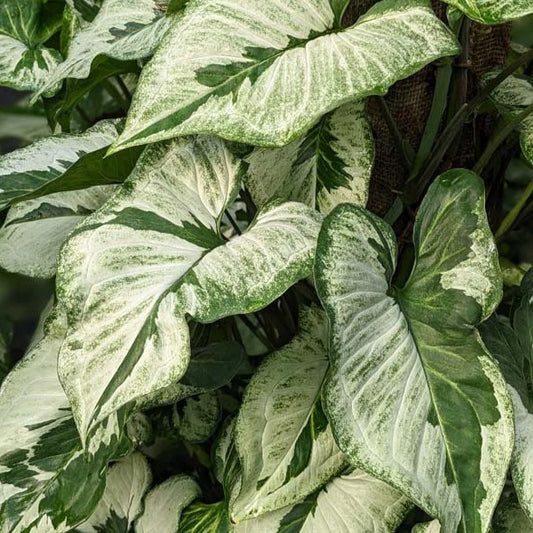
(122, 29)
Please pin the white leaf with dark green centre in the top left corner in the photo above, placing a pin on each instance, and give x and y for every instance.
(25, 63)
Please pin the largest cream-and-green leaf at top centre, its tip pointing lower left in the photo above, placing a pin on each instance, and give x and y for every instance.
(248, 77)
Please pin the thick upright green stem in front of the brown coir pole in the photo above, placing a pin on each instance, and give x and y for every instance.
(440, 99)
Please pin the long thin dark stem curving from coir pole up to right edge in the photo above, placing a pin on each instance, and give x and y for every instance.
(455, 125)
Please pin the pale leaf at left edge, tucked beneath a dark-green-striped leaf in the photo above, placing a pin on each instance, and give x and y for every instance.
(34, 230)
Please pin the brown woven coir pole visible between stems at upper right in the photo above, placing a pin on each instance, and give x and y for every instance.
(410, 101)
